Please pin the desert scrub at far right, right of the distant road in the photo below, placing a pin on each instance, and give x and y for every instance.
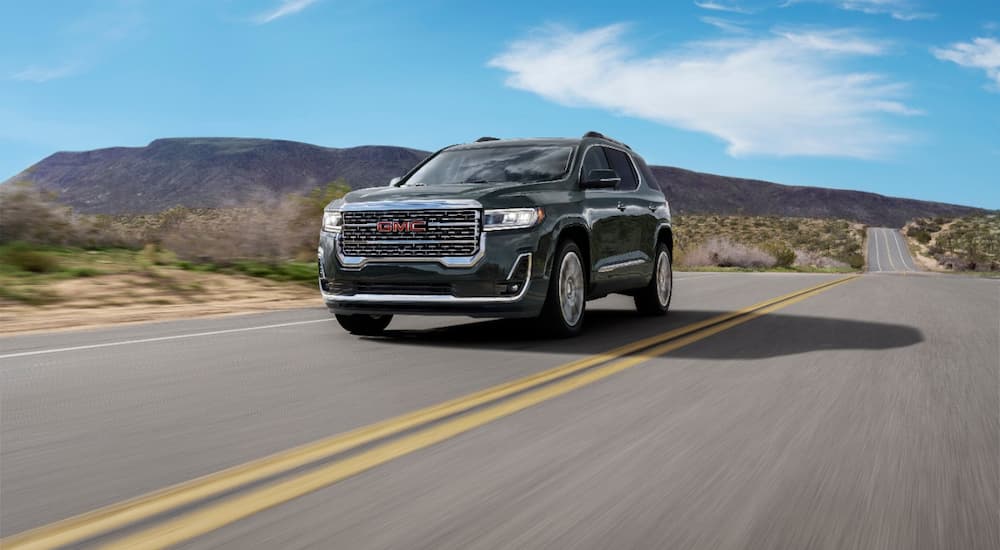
(957, 244)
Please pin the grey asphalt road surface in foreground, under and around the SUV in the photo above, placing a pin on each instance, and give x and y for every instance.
(758, 414)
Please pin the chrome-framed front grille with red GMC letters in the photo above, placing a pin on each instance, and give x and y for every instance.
(392, 233)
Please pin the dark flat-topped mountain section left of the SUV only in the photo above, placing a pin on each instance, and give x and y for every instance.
(208, 172)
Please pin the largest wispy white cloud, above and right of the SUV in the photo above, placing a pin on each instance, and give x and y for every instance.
(771, 95)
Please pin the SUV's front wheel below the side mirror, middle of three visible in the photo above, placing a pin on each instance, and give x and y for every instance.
(566, 301)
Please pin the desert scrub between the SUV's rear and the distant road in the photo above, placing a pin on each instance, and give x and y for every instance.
(760, 242)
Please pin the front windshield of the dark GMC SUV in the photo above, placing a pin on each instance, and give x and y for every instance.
(520, 163)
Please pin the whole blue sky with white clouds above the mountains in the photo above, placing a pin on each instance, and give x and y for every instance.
(900, 97)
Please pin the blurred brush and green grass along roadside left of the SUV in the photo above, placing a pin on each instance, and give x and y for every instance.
(43, 243)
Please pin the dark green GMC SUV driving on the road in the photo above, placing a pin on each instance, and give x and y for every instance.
(501, 228)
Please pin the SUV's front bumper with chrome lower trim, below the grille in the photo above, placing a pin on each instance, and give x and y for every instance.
(507, 279)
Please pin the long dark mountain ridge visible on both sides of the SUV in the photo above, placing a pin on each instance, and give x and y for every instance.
(214, 172)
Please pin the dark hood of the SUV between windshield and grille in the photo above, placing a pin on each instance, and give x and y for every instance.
(491, 195)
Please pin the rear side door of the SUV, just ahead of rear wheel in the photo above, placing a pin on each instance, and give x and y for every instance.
(634, 255)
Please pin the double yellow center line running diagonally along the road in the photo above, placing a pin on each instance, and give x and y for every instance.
(502, 400)
